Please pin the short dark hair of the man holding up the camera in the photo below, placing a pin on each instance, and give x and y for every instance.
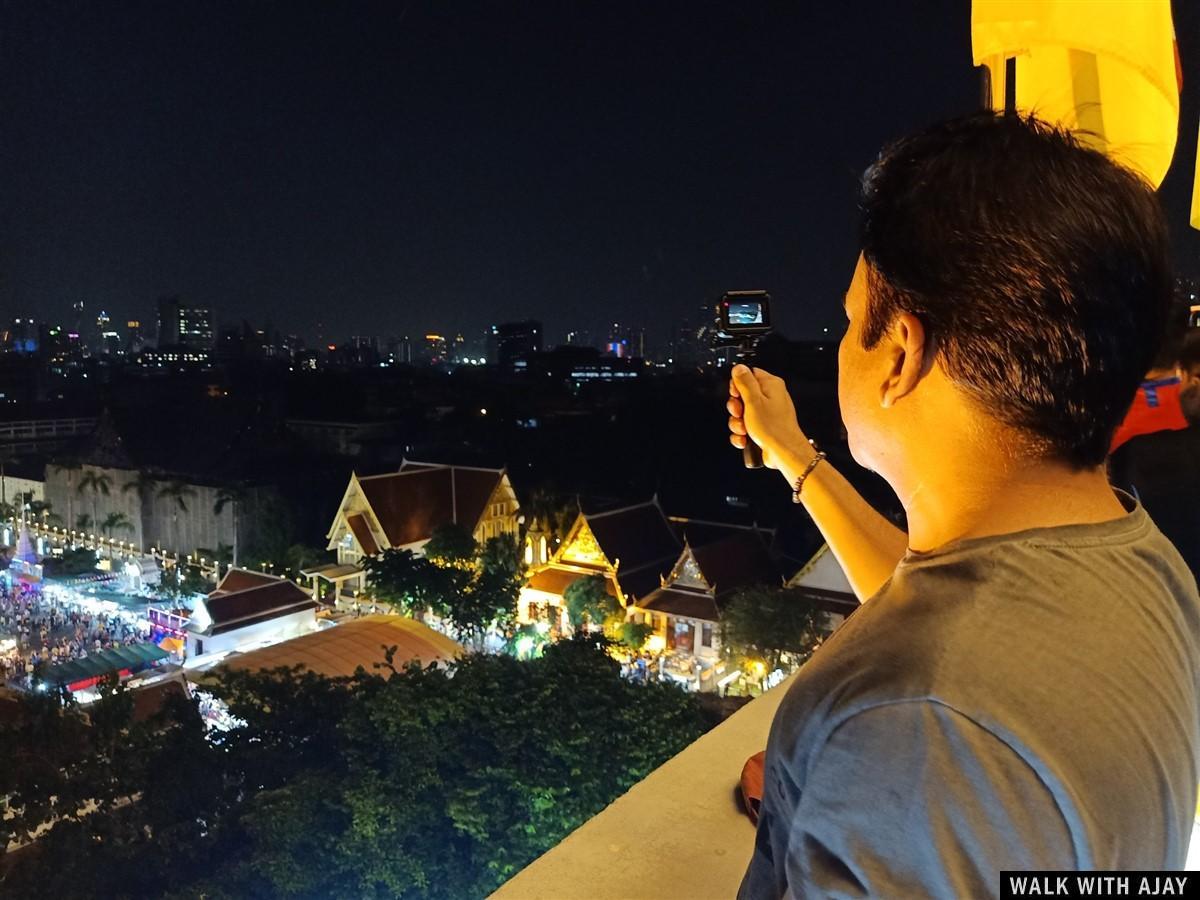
(1039, 267)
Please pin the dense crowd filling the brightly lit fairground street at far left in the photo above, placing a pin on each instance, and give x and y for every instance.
(51, 628)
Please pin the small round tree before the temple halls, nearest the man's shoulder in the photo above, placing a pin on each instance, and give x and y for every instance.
(765, 623)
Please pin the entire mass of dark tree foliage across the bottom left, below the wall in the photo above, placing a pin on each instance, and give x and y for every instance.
(410, 784)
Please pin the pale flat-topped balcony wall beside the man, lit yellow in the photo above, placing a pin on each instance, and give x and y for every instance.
(680, 833)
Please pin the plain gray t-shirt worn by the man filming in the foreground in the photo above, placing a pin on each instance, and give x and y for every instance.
(1025, 701)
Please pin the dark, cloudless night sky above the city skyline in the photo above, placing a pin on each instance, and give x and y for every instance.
(388, 169)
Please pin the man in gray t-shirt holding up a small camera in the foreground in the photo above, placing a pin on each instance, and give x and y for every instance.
(1021, 688)
